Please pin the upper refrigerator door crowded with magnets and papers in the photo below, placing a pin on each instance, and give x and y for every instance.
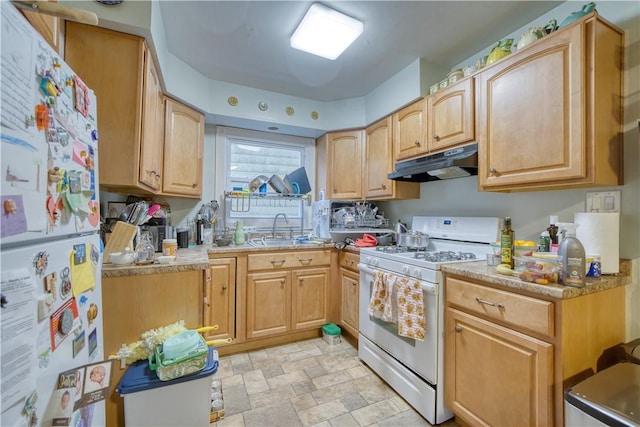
(48, 138)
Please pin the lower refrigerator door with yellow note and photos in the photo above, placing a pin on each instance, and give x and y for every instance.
(51, 323)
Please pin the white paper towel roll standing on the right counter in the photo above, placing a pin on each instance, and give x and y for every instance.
(599, 233)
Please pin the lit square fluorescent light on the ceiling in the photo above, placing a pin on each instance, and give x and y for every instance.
(325, 32)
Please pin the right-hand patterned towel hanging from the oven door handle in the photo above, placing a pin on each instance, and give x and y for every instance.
(410, 302)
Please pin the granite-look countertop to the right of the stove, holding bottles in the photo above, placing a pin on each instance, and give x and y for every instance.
(481, 271)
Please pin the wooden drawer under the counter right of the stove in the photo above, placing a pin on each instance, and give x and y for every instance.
(514, 309)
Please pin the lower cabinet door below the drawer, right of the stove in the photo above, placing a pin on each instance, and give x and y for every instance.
(495, 376)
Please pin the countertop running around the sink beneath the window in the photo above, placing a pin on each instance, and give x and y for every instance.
(197, 258)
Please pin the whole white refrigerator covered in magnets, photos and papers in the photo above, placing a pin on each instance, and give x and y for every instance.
(51, 320)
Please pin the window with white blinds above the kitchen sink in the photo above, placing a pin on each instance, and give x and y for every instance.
(248, 154)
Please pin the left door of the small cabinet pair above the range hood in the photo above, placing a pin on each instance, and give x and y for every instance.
(409, 131)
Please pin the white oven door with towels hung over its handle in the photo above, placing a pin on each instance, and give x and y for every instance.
(419, 356)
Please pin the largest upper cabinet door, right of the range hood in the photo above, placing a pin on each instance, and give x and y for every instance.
(531, 114)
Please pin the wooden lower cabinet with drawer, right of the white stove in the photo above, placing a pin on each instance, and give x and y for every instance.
(509, 355)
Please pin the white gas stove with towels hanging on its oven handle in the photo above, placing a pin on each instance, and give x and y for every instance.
(414, 368)
